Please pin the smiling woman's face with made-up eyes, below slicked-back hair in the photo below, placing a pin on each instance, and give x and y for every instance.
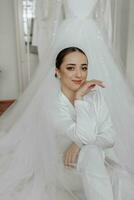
(73, 71)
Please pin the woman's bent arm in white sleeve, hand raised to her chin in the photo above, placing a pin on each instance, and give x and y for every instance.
(82, 130)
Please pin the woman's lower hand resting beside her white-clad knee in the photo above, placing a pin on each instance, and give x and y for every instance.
(71, 154)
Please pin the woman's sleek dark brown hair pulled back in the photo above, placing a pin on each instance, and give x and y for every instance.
(61, 55)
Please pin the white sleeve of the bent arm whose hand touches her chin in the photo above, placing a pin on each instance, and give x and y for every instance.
(81, 130)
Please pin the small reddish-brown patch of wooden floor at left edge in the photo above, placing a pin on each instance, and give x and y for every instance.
(4, 104)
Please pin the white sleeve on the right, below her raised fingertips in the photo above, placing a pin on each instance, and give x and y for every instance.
(106, 134)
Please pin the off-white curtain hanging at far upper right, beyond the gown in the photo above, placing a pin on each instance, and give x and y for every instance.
(120, 19)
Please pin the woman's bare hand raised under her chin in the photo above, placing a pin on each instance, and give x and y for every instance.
(86, 87)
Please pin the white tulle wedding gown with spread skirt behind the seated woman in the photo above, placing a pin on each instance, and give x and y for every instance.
(28, 166)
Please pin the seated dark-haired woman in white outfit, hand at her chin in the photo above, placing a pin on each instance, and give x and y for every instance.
(83, 118)
